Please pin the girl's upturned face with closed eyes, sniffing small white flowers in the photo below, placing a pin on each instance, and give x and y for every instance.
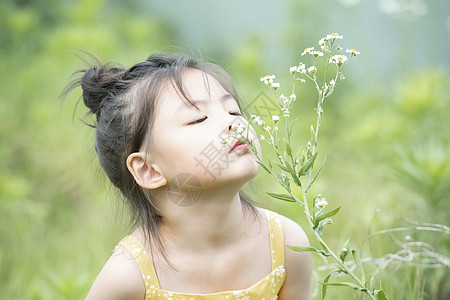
(188, 140)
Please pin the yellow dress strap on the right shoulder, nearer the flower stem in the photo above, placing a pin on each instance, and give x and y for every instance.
(276, 239)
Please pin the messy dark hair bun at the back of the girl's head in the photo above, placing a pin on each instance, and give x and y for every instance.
(98, 83)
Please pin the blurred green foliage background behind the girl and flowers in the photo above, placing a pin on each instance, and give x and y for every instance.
(385, 133)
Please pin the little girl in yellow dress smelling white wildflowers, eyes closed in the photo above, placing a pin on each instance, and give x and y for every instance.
(158, 137)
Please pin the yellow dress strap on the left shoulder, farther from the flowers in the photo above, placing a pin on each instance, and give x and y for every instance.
(140, 255)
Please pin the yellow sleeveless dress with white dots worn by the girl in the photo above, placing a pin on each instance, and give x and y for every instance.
(265, 289)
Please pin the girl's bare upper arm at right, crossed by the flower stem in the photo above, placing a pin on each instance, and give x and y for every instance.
(298, 264)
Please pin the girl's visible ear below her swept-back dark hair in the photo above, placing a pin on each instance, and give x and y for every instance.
(146, 174)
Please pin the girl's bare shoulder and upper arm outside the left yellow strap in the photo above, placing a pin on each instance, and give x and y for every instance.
(120, 278)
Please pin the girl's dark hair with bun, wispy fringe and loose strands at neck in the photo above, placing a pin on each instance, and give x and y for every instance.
(123, 101)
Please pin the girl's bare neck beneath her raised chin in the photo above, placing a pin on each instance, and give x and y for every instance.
(215, 220)
